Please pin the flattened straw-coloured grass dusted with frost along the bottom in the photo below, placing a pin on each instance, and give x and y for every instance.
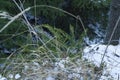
(60, 69)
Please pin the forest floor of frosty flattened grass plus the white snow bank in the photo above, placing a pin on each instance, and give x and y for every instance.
(69, 69)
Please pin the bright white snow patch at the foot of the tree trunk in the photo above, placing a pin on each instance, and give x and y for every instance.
(95, 53)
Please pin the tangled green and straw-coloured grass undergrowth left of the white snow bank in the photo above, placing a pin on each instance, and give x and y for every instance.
(46, 53)
